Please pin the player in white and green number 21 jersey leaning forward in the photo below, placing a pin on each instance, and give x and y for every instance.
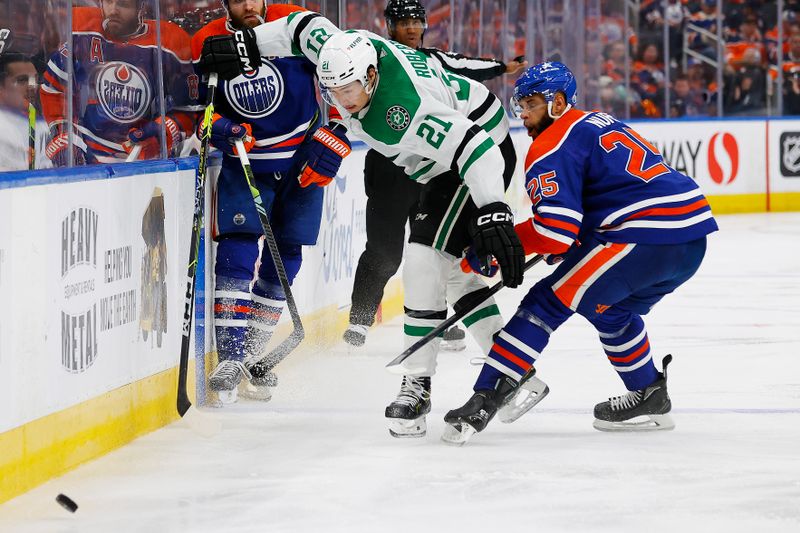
(441, 128)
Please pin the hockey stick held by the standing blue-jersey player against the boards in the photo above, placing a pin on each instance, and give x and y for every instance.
(260, 368)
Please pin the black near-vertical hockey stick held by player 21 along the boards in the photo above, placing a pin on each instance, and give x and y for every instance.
(197, 223)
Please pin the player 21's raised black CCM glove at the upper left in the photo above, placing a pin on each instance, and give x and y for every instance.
(230, 55)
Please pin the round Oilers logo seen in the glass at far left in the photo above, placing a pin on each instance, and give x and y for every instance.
(123, 91)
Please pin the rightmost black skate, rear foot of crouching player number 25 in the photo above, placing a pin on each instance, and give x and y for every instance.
(640, 410)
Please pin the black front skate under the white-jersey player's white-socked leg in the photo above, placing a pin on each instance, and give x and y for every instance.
(407, 413)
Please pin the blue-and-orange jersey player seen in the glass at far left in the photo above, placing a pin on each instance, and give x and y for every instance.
(115, 86)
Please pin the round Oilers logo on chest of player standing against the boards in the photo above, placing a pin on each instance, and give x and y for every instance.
(256, 94)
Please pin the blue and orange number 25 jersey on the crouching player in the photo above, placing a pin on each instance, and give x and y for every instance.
(589, 173)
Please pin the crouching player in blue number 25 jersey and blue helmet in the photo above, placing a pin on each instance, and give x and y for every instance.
(625, 230)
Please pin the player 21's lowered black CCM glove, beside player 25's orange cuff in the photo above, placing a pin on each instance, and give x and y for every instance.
(492, 232)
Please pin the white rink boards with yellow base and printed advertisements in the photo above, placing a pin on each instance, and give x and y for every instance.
(92, 275)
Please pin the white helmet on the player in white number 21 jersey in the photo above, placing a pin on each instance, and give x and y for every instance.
(346, 57)
